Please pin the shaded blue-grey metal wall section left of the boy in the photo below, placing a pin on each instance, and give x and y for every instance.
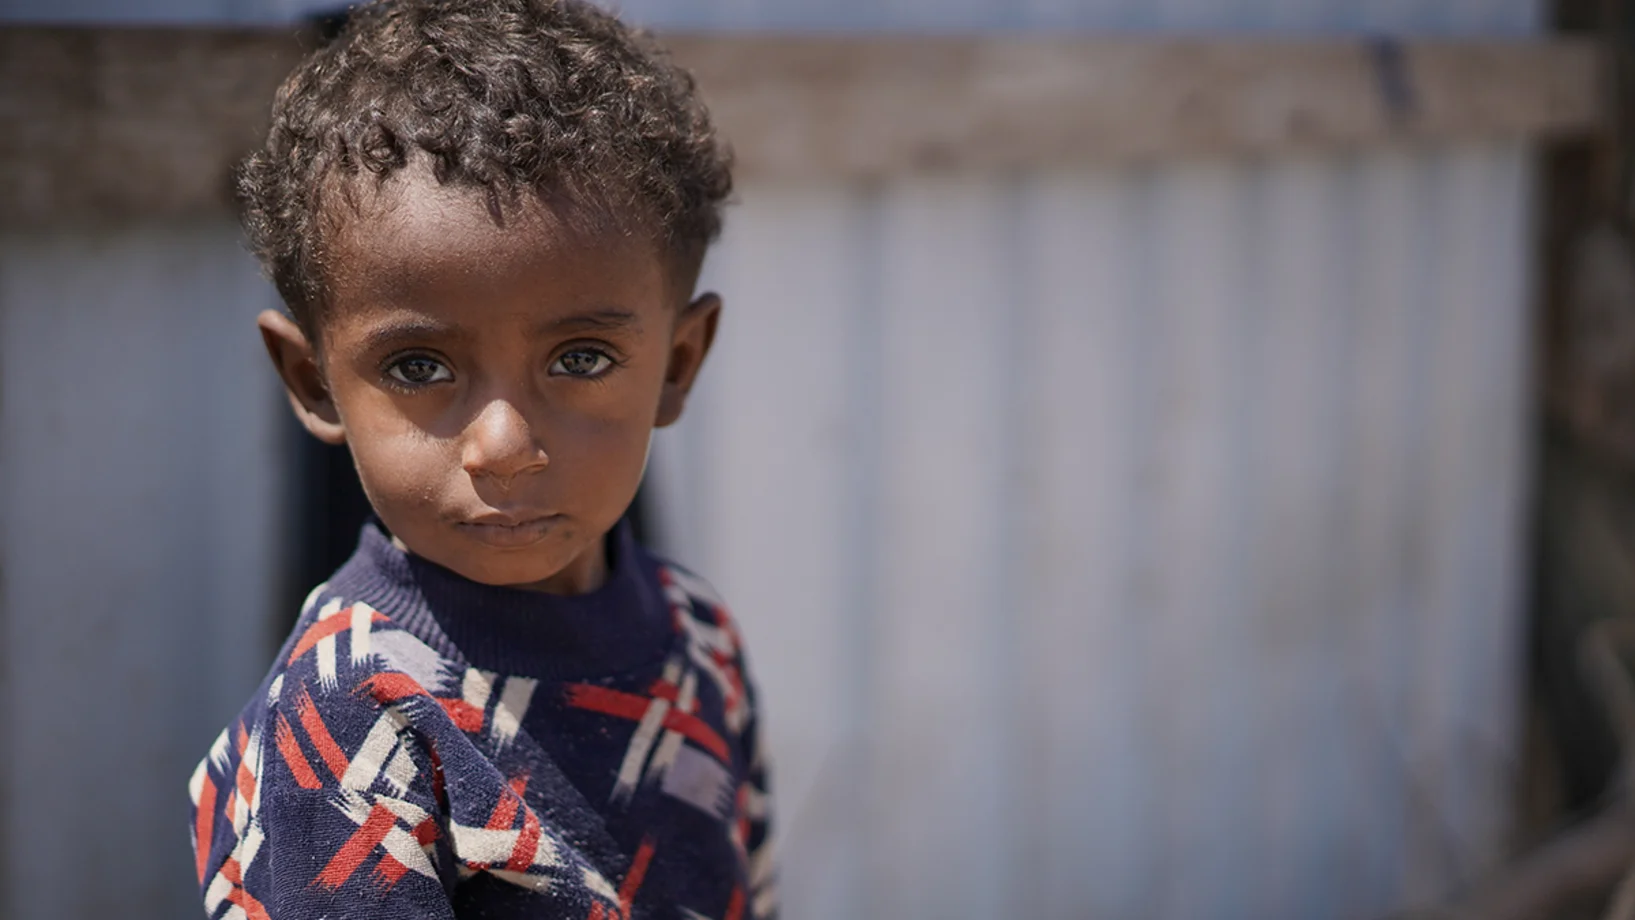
(140, 542)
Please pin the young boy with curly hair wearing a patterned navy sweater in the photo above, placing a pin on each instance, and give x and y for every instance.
(486, 218)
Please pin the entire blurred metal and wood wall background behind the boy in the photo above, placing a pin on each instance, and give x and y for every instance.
(1170, 460)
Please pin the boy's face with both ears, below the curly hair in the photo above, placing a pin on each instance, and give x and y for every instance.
(498, 386)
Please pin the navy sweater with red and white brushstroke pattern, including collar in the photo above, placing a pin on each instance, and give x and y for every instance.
(426, 746)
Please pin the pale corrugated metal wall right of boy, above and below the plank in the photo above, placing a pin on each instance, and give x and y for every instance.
(1132, 543)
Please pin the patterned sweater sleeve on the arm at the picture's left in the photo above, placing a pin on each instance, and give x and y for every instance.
(323, 805)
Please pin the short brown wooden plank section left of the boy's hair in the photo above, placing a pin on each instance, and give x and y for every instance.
(130, 123)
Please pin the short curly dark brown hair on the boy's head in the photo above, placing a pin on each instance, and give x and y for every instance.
(547, 97)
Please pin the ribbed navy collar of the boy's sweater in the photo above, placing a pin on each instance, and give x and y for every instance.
(514, 632)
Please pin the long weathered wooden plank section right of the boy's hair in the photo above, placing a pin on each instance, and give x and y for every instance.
(885, 105)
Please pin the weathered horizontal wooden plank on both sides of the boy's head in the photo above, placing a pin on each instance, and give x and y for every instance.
(101, 123)
